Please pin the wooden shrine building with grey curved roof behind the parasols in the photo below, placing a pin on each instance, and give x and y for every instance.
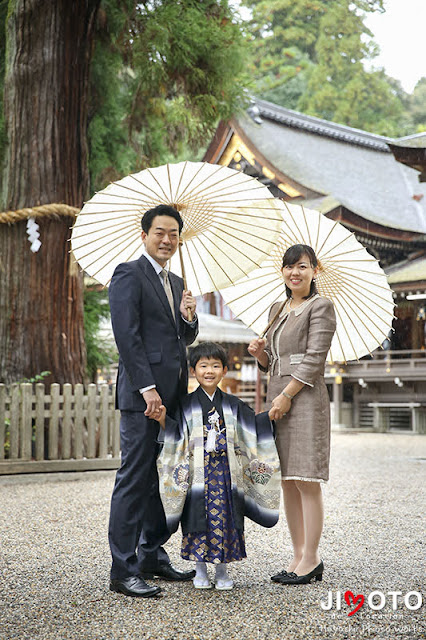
(376, 187)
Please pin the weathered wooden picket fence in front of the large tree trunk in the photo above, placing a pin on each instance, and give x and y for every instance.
(66, 430)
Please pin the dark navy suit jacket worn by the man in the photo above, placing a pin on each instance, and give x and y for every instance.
(152, 347)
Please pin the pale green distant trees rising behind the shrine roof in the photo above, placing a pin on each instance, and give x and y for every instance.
(311, 58)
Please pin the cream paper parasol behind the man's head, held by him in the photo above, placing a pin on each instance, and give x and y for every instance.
(231, 223)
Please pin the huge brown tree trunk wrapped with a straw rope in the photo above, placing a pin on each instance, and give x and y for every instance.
(49, 47)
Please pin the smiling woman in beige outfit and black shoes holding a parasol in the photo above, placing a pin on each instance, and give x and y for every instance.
(294, 352)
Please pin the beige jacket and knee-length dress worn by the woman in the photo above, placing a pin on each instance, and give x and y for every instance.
(297, 346)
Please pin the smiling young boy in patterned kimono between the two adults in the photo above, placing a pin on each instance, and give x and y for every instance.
(218, 464)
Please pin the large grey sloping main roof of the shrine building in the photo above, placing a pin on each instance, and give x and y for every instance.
(352, 168)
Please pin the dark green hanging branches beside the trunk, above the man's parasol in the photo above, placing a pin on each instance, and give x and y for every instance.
(164, 72)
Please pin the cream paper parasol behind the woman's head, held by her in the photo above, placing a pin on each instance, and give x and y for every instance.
(348, 275)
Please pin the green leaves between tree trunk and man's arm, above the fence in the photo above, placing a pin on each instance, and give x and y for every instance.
(100, 352)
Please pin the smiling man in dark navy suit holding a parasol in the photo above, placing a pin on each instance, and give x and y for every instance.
(149, 312)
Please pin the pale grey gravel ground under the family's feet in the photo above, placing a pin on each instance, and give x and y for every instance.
(54, 560)
